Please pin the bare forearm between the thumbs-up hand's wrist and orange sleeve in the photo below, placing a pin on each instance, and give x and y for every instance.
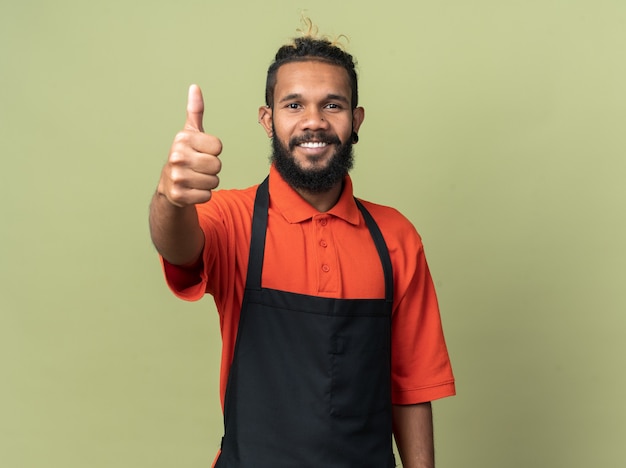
(175, 231)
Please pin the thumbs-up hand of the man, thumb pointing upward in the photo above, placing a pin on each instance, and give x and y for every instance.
(193, 163)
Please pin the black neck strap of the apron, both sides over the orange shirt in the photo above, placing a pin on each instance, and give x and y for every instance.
(259, 230)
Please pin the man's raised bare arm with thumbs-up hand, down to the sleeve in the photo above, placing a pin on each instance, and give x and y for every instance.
(186, 180)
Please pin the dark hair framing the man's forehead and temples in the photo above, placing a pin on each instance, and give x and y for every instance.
(304, 49)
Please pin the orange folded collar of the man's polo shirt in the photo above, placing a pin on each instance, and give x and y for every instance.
(296, 209)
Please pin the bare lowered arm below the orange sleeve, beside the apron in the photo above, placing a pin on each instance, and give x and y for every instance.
(413, 431)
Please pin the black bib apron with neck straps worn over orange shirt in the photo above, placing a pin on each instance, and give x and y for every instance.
(310, 382)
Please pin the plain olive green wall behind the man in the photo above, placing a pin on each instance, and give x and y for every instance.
(497, 127)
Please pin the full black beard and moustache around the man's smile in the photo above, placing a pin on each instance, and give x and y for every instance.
(312, 180)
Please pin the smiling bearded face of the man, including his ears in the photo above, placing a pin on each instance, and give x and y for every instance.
(312, 121)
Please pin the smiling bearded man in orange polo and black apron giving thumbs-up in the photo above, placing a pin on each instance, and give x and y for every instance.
(332, 338)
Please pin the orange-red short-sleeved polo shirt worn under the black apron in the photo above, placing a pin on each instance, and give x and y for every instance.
(327, 254)
